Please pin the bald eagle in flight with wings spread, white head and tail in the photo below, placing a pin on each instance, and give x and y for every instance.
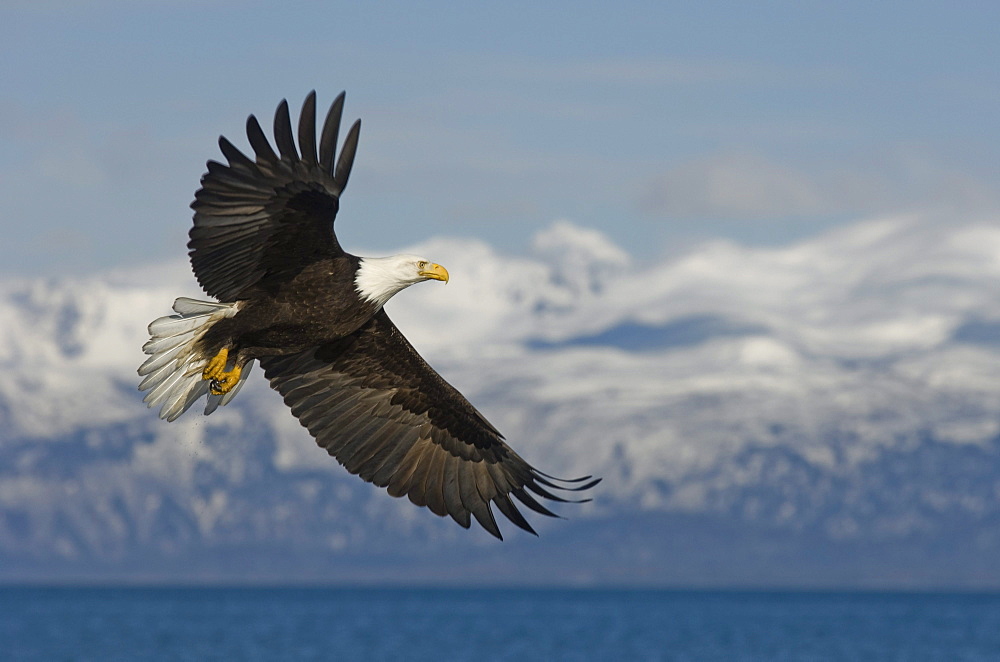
(312, 314)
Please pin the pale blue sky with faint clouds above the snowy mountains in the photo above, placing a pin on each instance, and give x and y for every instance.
(660, 124)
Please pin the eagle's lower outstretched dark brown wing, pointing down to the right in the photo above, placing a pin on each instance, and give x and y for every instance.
(374, 404)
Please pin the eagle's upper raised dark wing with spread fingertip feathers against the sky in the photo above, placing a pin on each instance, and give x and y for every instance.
(260, 222)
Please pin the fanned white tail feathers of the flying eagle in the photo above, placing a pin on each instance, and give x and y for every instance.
(172, 373)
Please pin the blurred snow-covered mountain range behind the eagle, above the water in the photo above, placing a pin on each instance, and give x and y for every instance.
(826, 413)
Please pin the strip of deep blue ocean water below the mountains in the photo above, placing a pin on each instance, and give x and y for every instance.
(54, 624)
